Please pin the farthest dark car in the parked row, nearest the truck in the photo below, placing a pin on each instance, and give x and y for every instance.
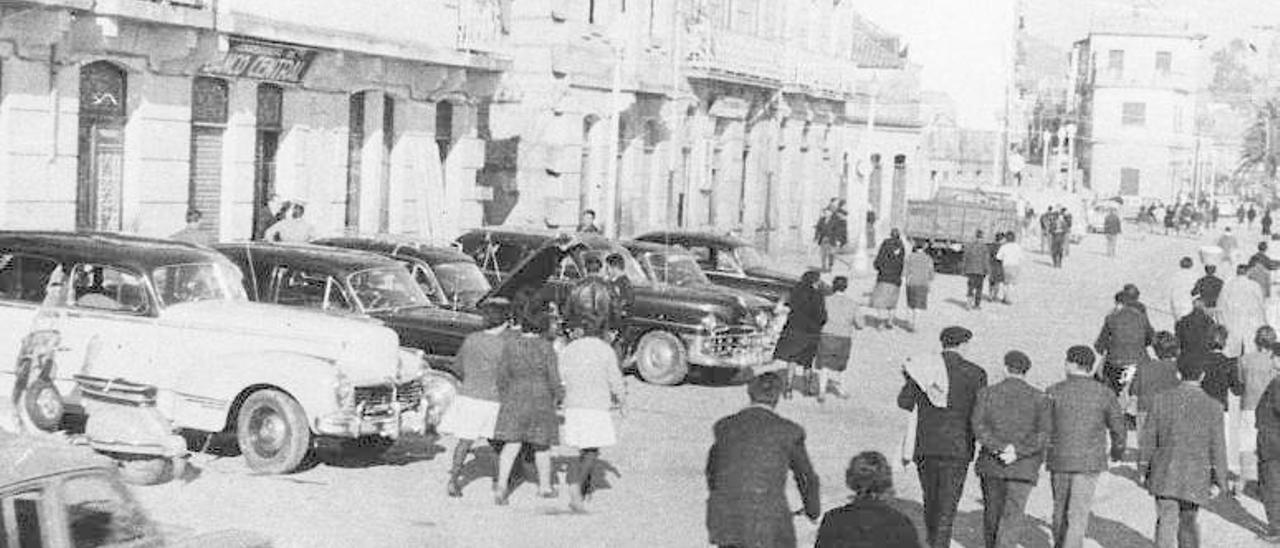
(730, 262)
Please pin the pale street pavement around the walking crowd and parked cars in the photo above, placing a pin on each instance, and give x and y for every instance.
(657, 492)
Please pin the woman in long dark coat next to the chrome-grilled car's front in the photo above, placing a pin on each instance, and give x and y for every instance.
(798, 345)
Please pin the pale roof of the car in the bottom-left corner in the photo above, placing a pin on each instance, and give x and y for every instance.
(29, 458)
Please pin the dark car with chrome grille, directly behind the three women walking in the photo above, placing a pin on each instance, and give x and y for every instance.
(669, 328)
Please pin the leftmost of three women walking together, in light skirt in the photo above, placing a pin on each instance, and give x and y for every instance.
(474, 413)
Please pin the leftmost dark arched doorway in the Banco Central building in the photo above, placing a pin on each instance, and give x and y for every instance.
(100, 179)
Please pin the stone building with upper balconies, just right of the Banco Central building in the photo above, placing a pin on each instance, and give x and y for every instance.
(729, 115)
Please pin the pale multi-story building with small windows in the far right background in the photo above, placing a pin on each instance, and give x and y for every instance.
(1137, 77)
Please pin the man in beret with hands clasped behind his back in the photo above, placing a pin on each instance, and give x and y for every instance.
(1013, 422)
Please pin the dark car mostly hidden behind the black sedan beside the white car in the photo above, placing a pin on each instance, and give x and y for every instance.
(447, 276)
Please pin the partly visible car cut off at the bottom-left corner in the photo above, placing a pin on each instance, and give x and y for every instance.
(60, 496)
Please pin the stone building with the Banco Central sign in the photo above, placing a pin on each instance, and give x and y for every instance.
(120, 116)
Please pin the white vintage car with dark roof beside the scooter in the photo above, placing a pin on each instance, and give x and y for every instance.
(176, 317)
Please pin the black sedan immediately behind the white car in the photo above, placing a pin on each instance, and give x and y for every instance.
(354, 282)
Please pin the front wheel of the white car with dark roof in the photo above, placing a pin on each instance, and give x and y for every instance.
(273, 433)
